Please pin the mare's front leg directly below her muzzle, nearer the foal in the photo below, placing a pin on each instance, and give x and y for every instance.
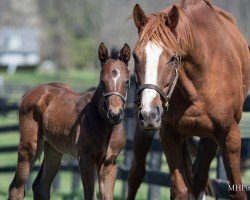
(172, 146)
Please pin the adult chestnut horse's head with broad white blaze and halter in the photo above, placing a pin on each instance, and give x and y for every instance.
(163, 40)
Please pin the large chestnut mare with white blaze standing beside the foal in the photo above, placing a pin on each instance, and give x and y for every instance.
(192, 68)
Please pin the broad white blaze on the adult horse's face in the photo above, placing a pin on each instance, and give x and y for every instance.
(153, 53)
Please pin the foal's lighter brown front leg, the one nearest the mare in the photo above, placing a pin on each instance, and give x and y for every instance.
(106, 178)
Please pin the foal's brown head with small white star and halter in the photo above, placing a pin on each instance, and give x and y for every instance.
(114, 81)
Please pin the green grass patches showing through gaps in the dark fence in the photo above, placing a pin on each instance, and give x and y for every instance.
(65, 192)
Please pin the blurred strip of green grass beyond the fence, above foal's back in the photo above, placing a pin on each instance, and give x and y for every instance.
(20, 82)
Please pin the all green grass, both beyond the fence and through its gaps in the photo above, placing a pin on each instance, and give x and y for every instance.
(79, 80)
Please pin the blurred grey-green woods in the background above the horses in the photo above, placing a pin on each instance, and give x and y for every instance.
(70, 30)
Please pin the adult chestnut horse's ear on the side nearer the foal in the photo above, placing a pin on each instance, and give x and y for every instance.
(139, 16)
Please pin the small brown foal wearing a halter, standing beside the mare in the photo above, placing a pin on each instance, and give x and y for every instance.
(86, 126)
